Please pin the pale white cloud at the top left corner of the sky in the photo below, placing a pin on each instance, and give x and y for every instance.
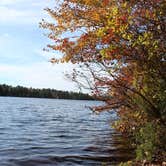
(23, 11)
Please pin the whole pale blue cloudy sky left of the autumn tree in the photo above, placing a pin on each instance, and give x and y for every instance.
(22, 59)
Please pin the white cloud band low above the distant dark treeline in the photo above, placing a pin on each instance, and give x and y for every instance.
(38, 75)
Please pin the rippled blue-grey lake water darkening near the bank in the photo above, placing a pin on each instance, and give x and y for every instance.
(49, 132)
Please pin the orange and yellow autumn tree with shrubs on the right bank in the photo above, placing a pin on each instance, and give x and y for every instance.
(120, 46)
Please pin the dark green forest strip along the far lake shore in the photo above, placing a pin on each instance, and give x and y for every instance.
(19, 91)
